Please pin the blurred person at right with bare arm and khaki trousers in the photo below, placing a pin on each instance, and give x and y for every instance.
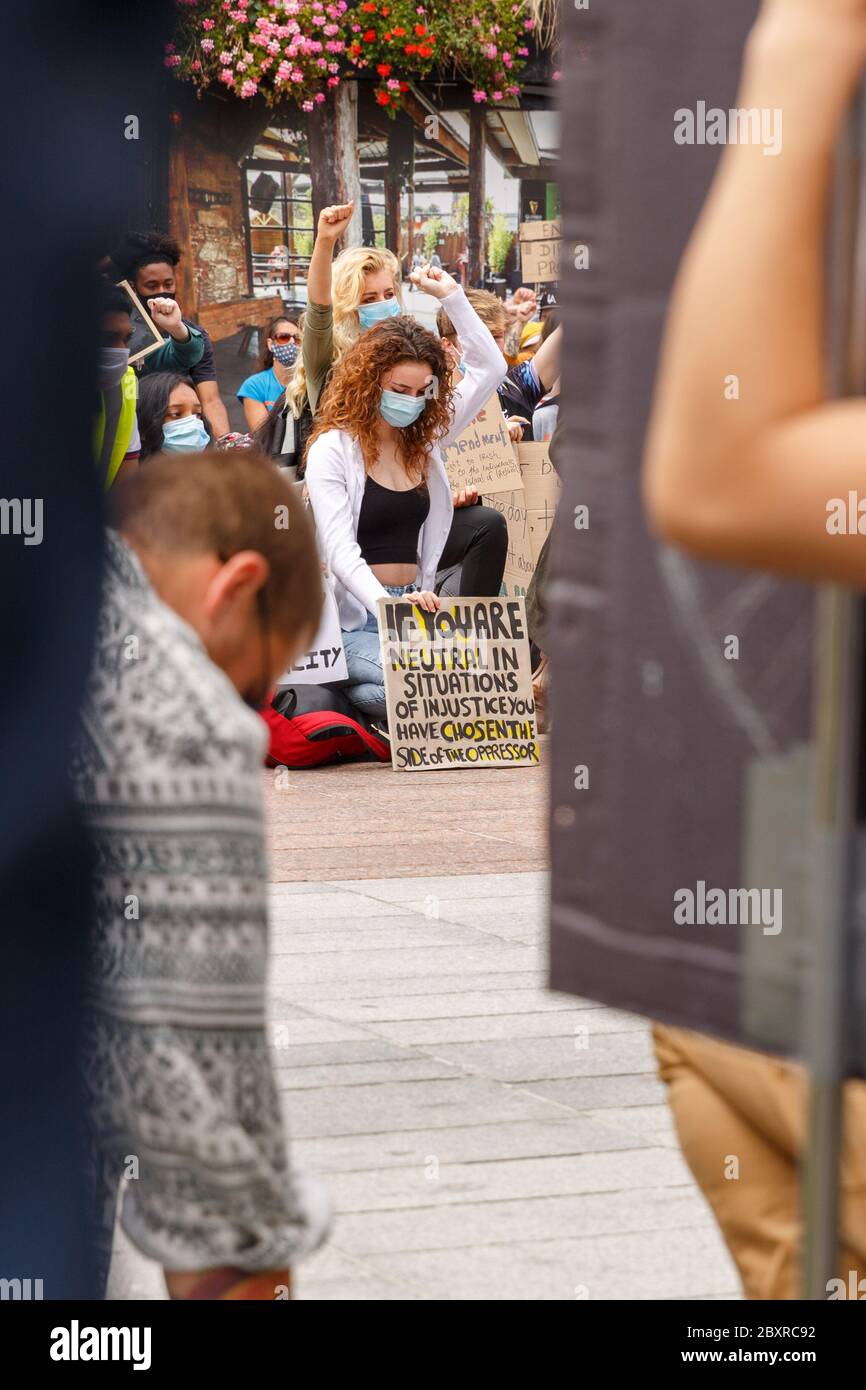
(750, 483)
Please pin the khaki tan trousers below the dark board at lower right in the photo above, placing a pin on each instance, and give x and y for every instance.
(742, 1120)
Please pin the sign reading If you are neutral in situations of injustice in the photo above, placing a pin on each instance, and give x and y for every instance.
(458, 685)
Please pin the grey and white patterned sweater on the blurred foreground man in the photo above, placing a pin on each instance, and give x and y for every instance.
(183, 1093)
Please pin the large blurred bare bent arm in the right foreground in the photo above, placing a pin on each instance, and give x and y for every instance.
(744, 451)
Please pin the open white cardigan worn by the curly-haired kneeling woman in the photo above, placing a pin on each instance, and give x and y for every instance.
(336, 479)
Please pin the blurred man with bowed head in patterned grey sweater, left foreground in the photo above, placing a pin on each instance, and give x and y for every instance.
(212, 589)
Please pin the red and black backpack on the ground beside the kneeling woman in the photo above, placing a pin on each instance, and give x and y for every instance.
(316, 725)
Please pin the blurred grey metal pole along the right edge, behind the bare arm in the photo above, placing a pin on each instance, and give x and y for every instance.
(839, 714)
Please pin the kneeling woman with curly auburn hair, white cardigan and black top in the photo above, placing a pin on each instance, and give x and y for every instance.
(376, 475)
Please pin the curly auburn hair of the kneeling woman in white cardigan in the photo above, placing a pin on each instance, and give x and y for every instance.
(351, 401)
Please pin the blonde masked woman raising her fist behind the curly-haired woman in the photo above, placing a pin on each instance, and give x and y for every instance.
(347, 298)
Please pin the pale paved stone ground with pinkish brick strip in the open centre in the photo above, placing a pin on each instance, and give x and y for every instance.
(482, 1138)
